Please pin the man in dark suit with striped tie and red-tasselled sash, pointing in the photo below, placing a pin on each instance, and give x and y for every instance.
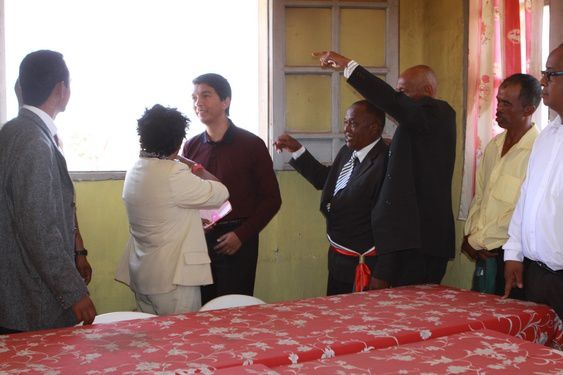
(349, 191)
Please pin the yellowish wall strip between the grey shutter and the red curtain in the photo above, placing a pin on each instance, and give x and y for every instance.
(432, 33)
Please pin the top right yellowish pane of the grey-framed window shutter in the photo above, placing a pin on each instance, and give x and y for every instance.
(362, 35)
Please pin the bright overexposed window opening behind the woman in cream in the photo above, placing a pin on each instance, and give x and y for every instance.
(127, 55)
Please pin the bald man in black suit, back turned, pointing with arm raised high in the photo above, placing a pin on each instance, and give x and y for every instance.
(413, 224)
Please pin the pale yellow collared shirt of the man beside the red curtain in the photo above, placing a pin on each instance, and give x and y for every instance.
(497, 190)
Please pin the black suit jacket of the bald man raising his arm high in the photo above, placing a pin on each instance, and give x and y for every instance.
(414, 209)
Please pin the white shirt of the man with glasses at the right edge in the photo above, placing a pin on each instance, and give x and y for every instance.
(536, 228)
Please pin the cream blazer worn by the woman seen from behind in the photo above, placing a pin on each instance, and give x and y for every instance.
(167, 244)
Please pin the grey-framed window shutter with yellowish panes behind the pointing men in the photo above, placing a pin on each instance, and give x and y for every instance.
(307, 101)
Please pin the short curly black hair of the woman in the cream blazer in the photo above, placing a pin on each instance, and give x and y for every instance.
(161, 130)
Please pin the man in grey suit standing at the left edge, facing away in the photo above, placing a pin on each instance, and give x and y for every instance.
(41, 287)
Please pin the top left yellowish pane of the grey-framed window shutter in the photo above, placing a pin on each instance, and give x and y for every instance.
(307, 30)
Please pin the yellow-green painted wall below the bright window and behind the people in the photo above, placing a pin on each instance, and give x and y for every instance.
(292, 261)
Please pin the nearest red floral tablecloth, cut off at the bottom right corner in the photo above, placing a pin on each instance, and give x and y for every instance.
(476, 352)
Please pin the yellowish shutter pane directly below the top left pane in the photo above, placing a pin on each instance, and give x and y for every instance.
(308, 103)
